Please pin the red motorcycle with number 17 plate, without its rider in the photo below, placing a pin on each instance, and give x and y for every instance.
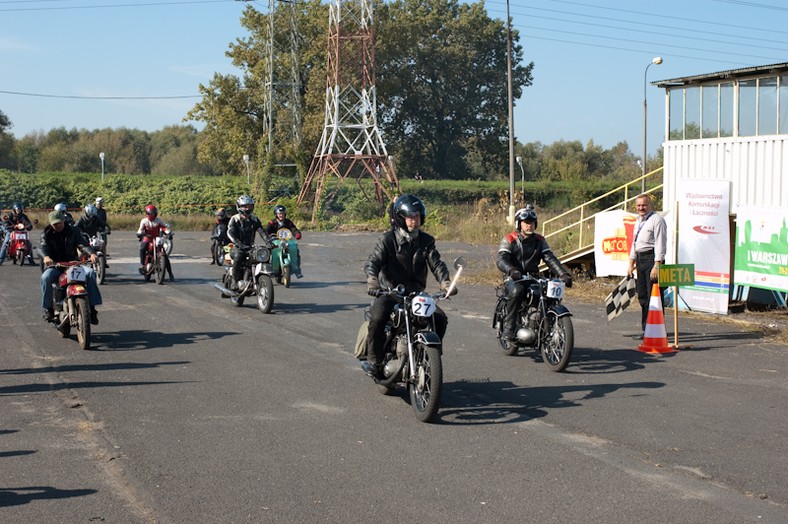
(70, 302)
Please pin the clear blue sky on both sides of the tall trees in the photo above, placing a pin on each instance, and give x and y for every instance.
(590, 57)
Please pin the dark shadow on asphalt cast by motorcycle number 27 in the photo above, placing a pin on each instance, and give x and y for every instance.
(487, 402)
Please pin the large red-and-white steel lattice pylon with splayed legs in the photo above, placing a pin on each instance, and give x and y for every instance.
(351, 143)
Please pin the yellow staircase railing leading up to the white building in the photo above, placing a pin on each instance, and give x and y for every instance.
(572, 232)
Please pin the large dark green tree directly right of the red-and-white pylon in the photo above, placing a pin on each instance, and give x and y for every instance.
(441, 68)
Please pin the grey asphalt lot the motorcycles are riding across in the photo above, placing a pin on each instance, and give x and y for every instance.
(190, 410)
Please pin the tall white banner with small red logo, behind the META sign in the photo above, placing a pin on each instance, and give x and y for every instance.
(704, 240)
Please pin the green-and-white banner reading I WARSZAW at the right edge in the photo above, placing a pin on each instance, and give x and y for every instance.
(761, 254)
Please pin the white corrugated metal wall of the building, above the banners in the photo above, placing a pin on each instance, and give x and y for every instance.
(757, 168)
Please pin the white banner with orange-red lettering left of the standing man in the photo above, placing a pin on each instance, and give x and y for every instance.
(614, 232)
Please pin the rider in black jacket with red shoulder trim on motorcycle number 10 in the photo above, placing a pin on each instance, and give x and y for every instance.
(520, 253)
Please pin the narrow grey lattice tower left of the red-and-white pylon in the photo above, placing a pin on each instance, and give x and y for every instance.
(282, 84)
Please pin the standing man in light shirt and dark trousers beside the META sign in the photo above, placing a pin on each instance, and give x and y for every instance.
(647, 253)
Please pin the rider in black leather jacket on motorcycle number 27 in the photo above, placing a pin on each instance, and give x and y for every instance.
(401, 256)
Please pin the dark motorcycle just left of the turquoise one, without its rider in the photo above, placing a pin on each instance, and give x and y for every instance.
(257, 279)
